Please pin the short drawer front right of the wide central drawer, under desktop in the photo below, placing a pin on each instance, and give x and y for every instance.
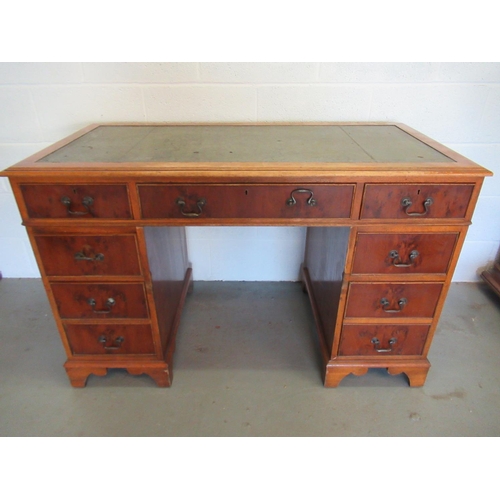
(414, 202)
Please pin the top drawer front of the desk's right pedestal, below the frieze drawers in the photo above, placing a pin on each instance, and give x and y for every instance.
(403, 253)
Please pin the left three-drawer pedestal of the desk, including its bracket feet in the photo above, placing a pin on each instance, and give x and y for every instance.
(117, 295)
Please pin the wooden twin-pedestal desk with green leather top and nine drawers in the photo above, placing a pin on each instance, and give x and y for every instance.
(387, 210)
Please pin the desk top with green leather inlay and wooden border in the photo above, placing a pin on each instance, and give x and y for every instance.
(166, 148)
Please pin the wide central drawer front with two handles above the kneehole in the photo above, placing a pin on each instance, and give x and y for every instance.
(246, 201)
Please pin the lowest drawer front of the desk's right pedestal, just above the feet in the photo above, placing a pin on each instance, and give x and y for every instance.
(383, 340)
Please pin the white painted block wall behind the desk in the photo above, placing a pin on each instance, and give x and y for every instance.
(457, 104)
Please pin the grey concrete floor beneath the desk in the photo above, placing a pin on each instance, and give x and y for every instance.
(247, 364)
